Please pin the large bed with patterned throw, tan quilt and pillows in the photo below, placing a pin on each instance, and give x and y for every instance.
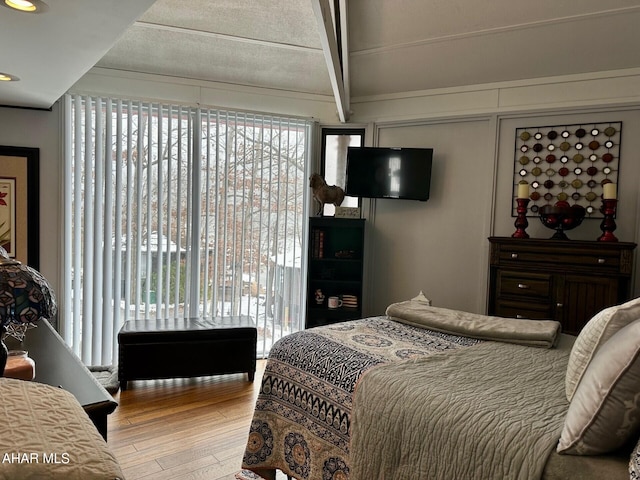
(426, 392)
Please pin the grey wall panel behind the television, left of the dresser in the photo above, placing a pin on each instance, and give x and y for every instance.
(437, 246)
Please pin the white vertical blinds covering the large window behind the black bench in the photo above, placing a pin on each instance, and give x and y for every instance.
(180, 212)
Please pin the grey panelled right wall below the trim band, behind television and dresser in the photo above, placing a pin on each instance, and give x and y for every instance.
(441, 246)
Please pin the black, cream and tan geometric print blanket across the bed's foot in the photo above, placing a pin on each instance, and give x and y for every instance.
(302, 419)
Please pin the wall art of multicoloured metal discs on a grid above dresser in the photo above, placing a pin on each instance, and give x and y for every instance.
(563, 162)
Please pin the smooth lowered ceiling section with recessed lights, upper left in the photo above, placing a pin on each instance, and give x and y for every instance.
(50, 51)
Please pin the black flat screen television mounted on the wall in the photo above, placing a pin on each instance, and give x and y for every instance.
(383, 172)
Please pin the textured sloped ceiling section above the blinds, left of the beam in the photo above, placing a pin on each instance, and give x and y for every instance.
(258, 43)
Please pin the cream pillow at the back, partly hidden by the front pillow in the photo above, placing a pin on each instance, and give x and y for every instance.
(594, 334)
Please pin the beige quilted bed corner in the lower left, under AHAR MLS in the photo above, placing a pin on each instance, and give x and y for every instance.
(46, 434)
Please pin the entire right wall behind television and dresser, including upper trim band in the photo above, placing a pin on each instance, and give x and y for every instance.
(441, 247)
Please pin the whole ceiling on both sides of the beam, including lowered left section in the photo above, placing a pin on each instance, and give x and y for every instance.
(394, 45)
